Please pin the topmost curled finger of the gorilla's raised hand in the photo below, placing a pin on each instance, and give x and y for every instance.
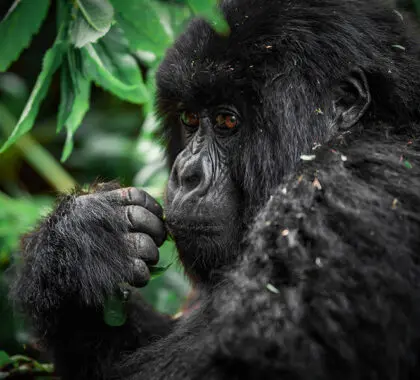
(134, 196)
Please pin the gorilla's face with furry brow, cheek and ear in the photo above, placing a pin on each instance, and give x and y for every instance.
(245, 124)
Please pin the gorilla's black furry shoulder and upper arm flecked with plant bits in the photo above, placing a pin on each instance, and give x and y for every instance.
(329, 287)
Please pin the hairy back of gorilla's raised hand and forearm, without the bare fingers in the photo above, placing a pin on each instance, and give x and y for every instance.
(71, 263)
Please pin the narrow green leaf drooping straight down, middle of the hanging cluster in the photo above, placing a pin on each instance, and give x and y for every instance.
(75, 94)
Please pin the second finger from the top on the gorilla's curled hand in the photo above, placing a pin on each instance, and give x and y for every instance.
(142, 220)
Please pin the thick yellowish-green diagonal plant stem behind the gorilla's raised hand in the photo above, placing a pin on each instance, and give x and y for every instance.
(37, 156)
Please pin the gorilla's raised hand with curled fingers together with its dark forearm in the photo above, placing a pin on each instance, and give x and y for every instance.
(75, 260)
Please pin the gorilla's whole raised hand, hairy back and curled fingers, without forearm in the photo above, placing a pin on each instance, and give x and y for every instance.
(87, 247)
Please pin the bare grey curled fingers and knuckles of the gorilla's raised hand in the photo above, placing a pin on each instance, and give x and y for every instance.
(143, 232)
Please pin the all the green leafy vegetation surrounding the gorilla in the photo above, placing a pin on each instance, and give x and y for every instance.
(76, 105)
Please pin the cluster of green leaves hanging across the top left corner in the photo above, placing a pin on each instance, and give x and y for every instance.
(98, 41)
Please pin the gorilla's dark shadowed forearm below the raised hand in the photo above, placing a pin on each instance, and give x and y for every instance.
(95, 347)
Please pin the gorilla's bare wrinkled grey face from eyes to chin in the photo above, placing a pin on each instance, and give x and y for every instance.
(202, 202)
